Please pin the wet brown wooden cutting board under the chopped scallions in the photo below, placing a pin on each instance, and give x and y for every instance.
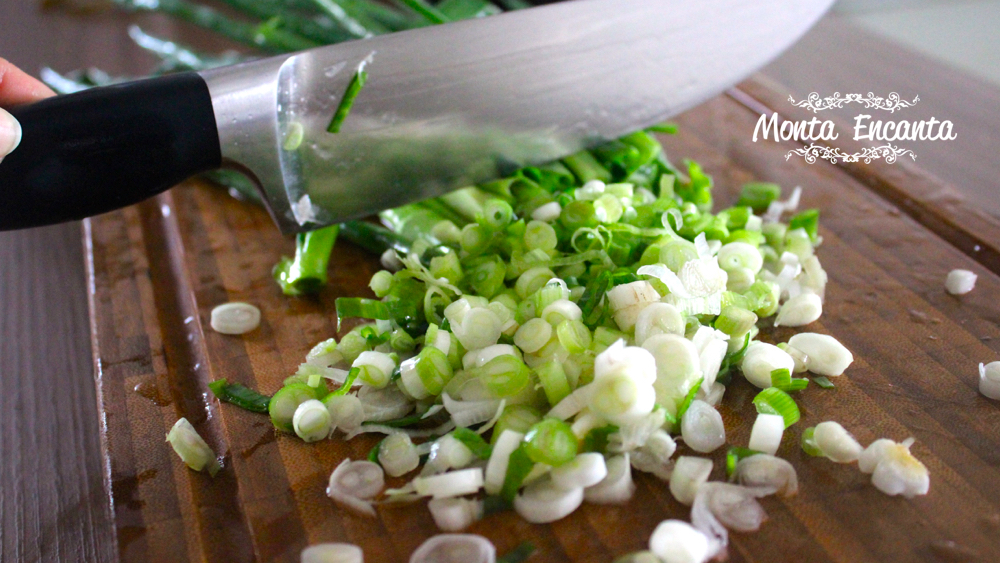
(891, 233)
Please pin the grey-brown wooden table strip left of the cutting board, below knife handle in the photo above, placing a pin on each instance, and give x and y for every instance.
(53, 504)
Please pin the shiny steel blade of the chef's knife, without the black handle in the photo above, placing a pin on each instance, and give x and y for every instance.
(457, 104)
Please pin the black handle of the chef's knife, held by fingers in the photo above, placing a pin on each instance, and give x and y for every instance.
(101, 149)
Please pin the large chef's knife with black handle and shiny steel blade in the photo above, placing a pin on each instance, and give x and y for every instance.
(443, 107)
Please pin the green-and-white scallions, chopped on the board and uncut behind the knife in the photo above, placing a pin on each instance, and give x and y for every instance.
(536, 338)
